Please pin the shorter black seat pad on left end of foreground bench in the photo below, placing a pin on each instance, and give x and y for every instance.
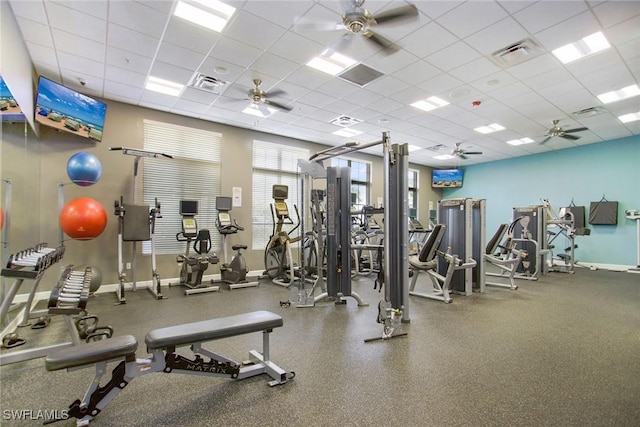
(92, 352)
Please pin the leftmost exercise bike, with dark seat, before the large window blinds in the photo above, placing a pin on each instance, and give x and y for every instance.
(194, 266)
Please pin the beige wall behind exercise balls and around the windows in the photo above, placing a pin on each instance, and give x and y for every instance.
(37, 183)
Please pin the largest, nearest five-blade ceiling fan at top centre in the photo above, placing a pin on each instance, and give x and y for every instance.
(358, 20)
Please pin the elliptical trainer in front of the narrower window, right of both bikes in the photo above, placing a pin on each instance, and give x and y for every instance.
(278, 258)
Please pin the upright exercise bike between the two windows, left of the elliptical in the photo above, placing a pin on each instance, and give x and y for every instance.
(233, 273)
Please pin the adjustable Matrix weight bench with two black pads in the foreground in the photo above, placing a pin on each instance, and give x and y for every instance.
(162, 344)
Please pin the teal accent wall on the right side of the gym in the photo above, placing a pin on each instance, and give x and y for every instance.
(582, 174)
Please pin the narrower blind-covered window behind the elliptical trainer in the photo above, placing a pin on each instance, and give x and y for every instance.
(272, 164)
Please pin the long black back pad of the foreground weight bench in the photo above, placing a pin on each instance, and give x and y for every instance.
(207, 330)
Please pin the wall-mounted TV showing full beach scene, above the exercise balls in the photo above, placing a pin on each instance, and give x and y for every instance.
(65, 109)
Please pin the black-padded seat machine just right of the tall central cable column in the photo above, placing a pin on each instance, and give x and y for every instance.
(426, 261)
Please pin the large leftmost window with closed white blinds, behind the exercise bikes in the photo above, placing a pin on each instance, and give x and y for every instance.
(192, 174)
